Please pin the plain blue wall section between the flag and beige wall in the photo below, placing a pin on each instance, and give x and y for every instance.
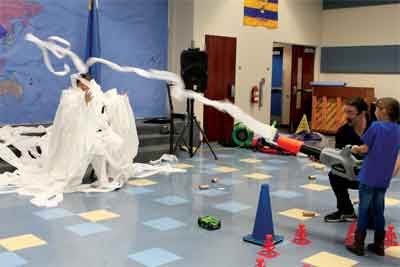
(135, 33)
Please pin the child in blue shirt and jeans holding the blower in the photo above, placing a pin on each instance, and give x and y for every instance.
(382, 144)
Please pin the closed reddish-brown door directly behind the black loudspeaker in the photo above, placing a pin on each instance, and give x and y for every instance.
(221, 53)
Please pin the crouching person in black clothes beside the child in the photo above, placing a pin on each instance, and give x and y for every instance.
(356, 112)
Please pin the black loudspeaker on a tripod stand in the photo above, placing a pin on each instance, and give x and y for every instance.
(194, 69)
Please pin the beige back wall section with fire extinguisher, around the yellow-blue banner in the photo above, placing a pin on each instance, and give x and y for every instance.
(299, 23)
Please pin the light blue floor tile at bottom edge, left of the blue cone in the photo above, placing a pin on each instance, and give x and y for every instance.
(154, 257)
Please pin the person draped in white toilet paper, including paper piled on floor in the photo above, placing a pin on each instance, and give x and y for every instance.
(90, 127)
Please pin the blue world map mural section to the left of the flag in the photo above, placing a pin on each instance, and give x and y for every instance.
(29, 93)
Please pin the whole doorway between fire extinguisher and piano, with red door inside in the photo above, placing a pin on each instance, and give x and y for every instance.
(291, 91)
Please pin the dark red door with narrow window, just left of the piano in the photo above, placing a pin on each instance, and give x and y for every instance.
(302, 75)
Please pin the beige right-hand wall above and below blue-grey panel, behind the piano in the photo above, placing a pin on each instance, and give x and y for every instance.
(374, 25)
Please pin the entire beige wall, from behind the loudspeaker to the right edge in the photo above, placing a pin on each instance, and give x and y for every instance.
(300, 22)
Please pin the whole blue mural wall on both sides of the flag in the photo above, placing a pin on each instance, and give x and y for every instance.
(133, 32)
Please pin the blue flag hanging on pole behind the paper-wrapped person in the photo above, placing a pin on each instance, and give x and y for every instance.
(93, 39)
